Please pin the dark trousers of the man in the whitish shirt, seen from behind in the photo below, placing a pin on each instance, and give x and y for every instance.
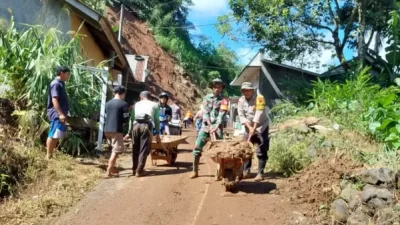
(142, 136)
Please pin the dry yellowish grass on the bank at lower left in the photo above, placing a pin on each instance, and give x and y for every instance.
(45, 190)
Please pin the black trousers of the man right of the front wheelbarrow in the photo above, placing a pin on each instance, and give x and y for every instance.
(262, 140)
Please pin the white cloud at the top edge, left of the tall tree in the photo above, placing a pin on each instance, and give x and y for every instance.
(209, 8)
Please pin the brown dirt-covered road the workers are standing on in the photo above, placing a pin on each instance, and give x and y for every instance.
(168, 197)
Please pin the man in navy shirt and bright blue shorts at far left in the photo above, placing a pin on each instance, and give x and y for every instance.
(57, 109)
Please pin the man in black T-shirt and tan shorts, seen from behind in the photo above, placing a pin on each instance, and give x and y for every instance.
(117, 113)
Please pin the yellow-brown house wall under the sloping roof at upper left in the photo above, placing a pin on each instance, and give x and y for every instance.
(91, 50)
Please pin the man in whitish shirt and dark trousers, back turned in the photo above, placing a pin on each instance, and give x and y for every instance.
(143, 114)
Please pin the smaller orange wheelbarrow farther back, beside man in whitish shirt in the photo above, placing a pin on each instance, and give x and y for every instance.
(166, 150)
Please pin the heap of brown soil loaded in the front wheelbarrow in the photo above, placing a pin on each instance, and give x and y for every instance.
(230, 148)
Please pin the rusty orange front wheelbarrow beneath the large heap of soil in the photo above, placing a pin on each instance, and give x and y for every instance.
(229, 169)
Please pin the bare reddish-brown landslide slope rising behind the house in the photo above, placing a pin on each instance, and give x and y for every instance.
(166, 74)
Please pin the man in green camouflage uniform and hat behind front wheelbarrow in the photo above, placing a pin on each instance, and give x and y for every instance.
(214, 108)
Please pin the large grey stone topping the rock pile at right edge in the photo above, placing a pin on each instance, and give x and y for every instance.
(378, 176)
